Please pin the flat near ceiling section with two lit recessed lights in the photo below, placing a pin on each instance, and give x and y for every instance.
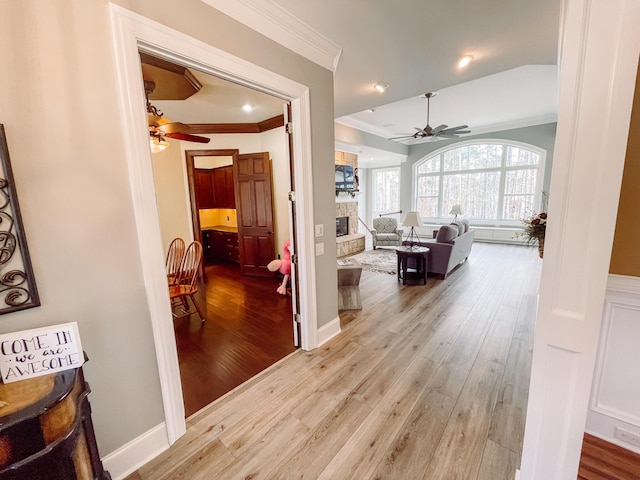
(414, 44)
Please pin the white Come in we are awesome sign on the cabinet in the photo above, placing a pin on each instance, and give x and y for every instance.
(41, 351)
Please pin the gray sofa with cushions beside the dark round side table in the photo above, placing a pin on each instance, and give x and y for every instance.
(450, 248)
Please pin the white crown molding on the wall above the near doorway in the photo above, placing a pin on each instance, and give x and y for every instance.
(274, 22)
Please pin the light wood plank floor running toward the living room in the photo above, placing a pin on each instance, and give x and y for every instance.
(426, 382)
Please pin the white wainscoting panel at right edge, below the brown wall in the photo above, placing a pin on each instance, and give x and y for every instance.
(614, 412)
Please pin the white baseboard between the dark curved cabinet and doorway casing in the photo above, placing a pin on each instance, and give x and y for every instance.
(137, 452)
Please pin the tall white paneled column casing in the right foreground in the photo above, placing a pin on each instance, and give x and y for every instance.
(600, 45)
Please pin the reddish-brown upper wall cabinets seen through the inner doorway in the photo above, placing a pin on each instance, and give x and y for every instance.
(215, 188)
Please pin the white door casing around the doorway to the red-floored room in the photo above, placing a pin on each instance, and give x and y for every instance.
(130, 33)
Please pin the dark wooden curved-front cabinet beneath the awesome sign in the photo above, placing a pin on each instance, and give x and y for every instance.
(46, 431)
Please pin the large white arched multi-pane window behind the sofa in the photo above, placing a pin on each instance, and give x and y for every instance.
(495, 182)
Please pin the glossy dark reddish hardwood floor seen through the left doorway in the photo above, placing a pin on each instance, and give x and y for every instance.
(248, 327)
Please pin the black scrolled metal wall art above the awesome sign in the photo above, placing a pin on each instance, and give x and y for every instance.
(17, 282)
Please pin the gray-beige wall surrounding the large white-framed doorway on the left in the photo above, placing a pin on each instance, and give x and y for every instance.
(58, 100)
